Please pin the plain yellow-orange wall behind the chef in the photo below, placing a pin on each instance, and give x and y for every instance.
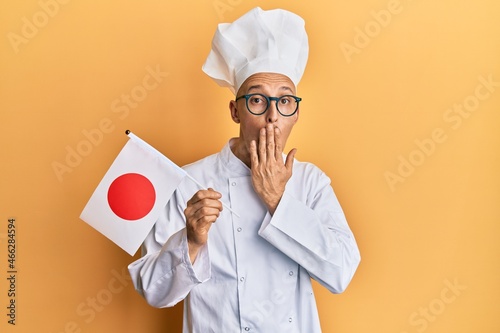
(363, 113)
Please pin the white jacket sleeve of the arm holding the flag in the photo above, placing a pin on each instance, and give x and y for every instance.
(164, 274)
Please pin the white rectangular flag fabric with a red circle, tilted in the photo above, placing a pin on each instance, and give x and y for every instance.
(128, 200)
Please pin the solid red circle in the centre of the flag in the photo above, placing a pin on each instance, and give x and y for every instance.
(131, 196)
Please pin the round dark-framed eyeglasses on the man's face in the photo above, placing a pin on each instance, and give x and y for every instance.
(258, 104)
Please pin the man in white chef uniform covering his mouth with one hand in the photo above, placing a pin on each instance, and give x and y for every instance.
(251, 272)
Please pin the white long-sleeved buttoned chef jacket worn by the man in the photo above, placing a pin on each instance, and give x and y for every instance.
(254, 273)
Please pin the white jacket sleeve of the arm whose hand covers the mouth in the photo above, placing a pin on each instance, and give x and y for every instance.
(309, 226)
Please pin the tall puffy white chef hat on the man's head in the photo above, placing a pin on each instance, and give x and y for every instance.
(273, 41)
